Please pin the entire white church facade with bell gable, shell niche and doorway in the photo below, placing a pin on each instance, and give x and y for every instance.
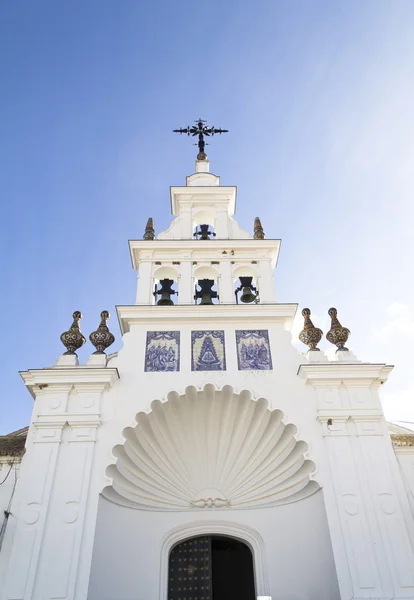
(208, 459)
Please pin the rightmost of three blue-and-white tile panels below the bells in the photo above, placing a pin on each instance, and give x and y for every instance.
(253, 350)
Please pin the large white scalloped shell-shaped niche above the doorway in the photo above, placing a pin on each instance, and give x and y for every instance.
(210, 448)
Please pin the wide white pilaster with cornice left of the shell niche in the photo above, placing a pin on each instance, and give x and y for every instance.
(54, 493)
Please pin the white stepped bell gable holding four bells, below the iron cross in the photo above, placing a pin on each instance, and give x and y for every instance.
(204, 244)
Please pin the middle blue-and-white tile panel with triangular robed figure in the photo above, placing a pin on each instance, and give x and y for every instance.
(207, 351)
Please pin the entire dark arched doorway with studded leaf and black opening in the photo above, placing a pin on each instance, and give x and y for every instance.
(211, 567)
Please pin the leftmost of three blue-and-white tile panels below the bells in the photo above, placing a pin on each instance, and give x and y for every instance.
(162, 351)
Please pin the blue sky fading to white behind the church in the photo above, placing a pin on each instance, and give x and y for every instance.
(318, 97)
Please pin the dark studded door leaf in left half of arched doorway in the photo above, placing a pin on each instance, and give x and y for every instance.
(190, 576)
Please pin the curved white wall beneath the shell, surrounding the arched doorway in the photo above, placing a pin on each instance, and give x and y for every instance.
(297, 550)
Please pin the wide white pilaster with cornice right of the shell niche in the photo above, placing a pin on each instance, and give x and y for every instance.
(371, 526)
